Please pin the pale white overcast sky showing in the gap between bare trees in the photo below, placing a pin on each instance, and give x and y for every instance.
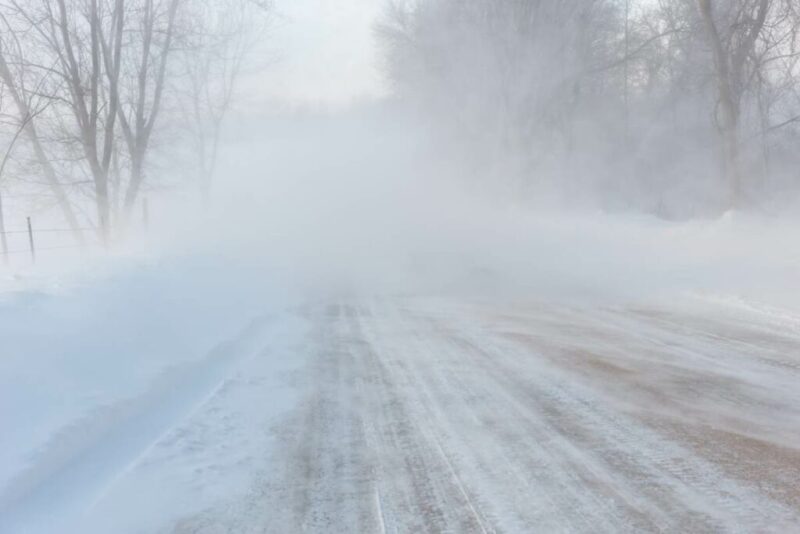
(324, 54)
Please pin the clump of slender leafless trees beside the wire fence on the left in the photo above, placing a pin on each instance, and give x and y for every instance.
(106, 69)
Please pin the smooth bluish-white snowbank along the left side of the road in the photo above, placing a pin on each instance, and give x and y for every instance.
(93, 369)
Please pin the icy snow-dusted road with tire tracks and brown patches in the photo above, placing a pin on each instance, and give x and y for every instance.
(434, 415)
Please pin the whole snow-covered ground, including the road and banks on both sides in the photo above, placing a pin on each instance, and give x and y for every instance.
(475, 370)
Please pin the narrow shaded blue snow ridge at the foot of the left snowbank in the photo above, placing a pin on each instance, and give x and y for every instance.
(86, 459)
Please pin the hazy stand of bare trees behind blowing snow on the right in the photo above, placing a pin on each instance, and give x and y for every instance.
(608, 98)
